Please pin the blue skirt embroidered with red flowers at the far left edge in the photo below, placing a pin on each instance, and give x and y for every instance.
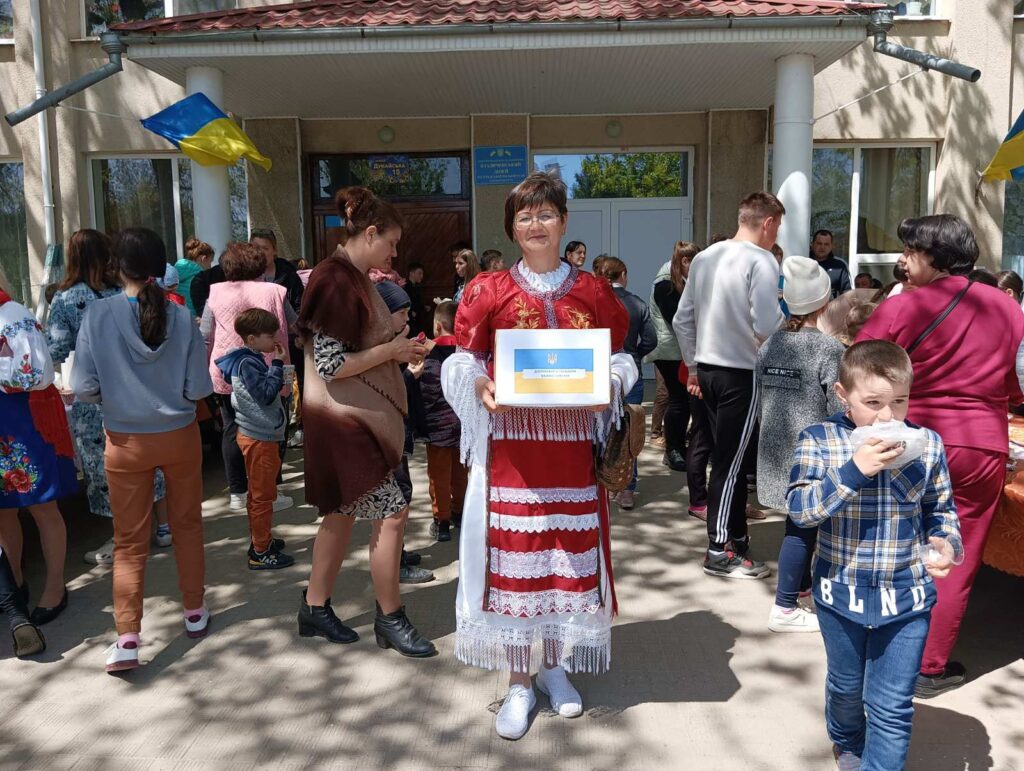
(31, 472)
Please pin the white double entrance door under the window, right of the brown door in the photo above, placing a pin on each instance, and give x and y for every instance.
(641, 232)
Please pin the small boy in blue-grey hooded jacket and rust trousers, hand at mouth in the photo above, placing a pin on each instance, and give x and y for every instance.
(261, 415)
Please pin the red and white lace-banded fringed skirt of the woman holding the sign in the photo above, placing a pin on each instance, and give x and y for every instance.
(535, 569)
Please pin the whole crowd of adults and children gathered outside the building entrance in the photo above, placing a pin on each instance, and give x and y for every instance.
(874, 418)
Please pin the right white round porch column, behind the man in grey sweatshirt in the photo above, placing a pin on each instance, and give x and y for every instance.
(793, 150)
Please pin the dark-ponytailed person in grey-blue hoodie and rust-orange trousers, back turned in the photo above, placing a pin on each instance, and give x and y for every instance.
(144, 360)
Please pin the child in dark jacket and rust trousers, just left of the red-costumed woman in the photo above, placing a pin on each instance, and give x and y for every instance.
(448, 477)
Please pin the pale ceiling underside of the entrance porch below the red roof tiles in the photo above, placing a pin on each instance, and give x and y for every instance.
(587, 72)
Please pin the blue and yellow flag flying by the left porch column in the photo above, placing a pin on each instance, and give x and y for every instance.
(201, 131)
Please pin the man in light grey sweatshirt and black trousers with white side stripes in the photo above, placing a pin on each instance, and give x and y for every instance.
(730, 307)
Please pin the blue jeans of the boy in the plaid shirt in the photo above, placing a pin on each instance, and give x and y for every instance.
(873, 670)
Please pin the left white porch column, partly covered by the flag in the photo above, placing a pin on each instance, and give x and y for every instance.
(211, 195)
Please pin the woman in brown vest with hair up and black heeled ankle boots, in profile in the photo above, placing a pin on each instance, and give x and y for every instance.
(354, 413)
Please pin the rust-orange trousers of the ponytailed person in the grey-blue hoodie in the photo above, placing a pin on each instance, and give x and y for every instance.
(131, 461)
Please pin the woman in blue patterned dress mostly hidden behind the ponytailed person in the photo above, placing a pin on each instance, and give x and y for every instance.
(91, 277)
